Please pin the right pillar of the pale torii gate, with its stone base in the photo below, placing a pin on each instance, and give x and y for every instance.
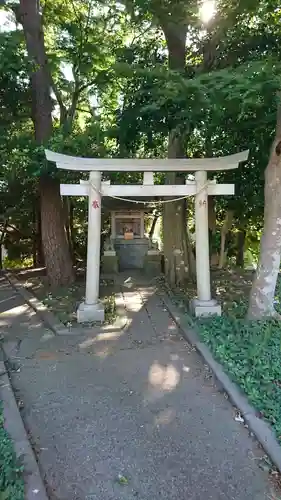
(204, 305)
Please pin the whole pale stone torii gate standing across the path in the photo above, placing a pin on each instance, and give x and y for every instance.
(92, 309)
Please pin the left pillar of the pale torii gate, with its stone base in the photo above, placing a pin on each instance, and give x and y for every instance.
(93, 309)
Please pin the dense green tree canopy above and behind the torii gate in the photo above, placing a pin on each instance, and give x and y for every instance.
(113, 95)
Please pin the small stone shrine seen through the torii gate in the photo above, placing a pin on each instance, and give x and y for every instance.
(128, 247)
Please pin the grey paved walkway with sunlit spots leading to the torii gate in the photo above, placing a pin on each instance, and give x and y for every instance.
(130, 414)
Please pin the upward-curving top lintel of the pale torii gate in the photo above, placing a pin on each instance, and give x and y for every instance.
(146, 165)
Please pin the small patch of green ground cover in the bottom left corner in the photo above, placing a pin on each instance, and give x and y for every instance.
(11, 472)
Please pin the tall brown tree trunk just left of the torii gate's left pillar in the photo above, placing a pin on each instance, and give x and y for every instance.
(56, 251)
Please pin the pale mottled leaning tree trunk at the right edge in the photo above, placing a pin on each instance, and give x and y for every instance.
(263, 289)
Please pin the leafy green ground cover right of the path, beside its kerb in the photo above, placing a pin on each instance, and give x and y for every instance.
(250, 351)
